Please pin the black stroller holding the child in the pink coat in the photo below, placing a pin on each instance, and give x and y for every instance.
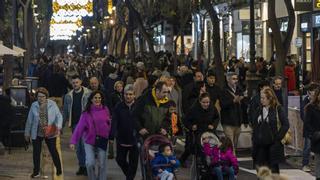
(200, 165)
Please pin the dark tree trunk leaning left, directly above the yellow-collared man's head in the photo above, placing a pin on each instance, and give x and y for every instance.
(144, 32)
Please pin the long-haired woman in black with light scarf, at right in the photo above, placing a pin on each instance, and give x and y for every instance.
(269, 128)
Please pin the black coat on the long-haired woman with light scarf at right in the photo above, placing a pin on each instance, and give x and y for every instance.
(275, 151)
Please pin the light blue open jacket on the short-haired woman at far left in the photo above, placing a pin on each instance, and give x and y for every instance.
(32, 124)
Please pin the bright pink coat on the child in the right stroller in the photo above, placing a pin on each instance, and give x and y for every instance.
(220, 158)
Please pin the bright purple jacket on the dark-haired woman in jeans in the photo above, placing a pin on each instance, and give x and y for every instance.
(86, 129)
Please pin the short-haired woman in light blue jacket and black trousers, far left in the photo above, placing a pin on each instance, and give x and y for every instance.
(44, 123)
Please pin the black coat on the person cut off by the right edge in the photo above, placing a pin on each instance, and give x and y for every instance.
(312, 125)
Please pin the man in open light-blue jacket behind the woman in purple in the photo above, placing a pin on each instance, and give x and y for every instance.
(74, 103)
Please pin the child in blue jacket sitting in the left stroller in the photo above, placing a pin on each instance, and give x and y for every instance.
(164, 163)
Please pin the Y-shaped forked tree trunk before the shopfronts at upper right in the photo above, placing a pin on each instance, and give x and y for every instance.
(282, 44)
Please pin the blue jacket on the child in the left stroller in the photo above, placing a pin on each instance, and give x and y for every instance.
(159, 160)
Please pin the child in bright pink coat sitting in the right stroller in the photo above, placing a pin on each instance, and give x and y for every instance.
(221, 158)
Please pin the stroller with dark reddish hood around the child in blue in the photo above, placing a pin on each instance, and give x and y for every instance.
(148, 148)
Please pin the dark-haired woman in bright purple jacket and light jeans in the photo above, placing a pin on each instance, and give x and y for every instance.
(94, 127)
